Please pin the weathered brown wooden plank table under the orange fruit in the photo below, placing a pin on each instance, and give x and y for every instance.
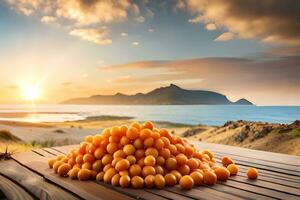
(27, 176)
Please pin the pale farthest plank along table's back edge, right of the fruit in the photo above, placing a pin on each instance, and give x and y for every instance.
(262, 155)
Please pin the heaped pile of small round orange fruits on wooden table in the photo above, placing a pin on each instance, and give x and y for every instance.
(141, 155)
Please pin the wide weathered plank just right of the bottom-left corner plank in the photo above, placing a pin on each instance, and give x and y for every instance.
(32, 182)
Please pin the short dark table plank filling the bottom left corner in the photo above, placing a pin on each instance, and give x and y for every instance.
(12, 190)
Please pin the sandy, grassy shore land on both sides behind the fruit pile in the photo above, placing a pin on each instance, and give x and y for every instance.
(276, 137)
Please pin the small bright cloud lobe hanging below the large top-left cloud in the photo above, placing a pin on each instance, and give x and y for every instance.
(97, 36)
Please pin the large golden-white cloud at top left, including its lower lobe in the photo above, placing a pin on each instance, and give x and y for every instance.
(81, 16)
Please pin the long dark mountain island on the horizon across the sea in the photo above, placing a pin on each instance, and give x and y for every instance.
(170, 95)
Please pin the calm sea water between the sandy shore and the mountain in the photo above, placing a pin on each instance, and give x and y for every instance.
(191, 114)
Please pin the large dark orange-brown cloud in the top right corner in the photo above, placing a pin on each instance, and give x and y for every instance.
(268, 20)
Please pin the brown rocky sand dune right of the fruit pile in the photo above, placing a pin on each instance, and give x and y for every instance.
(281, 138)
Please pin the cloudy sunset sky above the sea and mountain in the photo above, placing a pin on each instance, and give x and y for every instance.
(77, 48)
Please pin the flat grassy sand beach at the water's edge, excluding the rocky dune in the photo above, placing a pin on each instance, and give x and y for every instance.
(45, 134)
